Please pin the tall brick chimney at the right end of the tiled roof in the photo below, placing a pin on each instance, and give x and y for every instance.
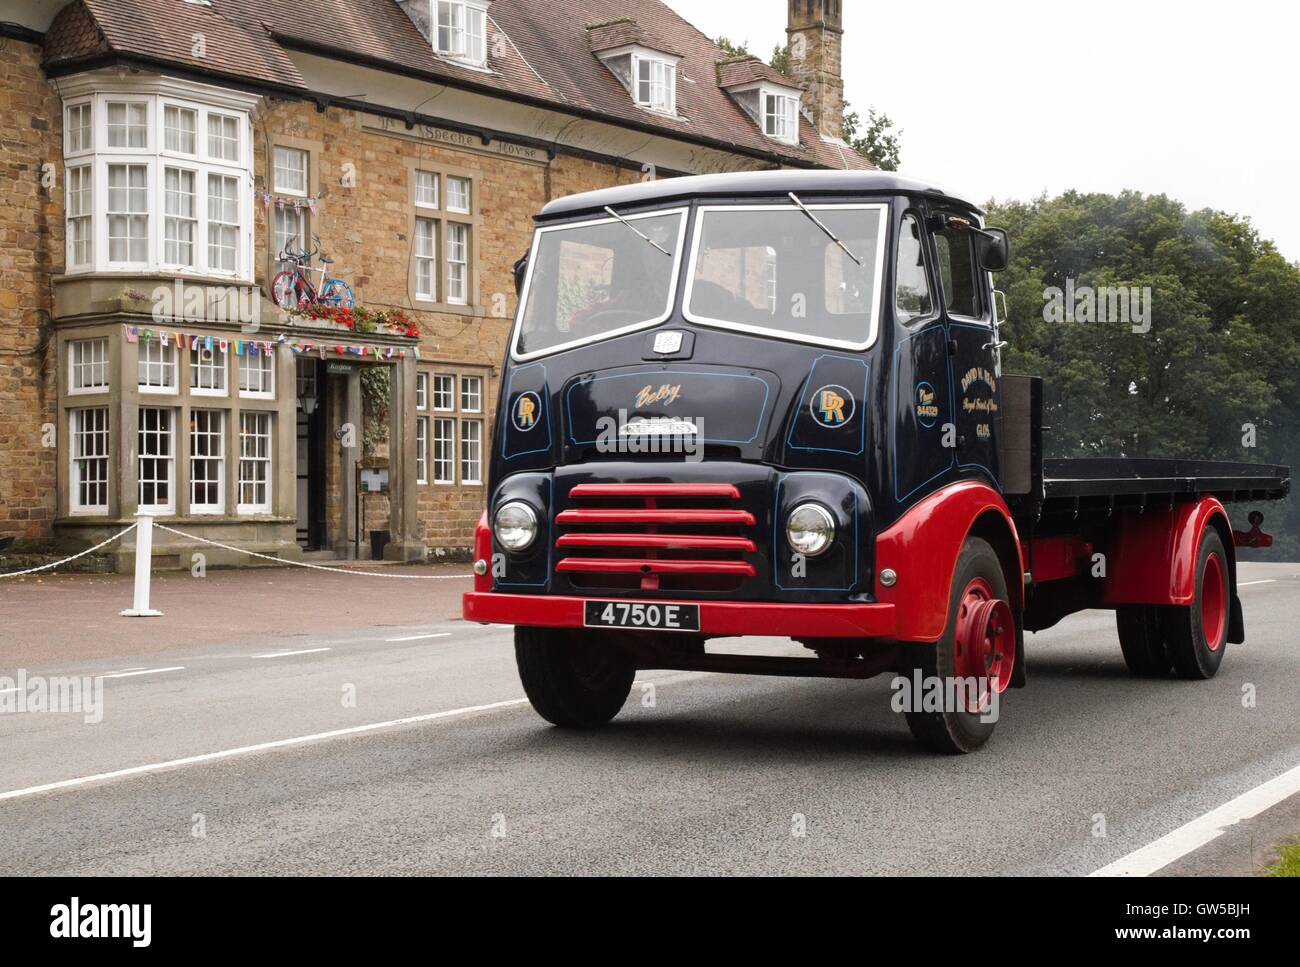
(817, 55)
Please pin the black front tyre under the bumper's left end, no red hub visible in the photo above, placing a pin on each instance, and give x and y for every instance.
(573, 679)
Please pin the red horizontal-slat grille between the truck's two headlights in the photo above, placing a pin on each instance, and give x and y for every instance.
(674, 537)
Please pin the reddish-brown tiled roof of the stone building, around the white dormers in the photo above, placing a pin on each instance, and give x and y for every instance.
(540, 51)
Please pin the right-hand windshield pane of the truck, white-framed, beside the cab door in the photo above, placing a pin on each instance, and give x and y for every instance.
(773, 270)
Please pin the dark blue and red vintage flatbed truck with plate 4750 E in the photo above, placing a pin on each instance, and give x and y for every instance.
(773, 405)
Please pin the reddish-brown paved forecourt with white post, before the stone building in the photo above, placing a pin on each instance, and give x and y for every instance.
(64, 618)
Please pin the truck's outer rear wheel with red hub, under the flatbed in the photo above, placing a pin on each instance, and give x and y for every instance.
(1198, 634)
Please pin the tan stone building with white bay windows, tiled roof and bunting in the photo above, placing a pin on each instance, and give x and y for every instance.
(159, 159)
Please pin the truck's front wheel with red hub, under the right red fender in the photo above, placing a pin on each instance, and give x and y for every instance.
(977, 653)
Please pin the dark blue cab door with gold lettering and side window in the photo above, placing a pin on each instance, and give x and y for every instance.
(968, 309)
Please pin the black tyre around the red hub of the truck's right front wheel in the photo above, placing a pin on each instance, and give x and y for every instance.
(955, 731)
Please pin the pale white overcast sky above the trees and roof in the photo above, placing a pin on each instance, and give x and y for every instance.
(1008, 99)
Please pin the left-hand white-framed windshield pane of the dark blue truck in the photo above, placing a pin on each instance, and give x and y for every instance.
(599, 279)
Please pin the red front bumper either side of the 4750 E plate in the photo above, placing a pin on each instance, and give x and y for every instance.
(717, 619)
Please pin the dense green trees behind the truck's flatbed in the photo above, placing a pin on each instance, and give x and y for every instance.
(1221, 358)
